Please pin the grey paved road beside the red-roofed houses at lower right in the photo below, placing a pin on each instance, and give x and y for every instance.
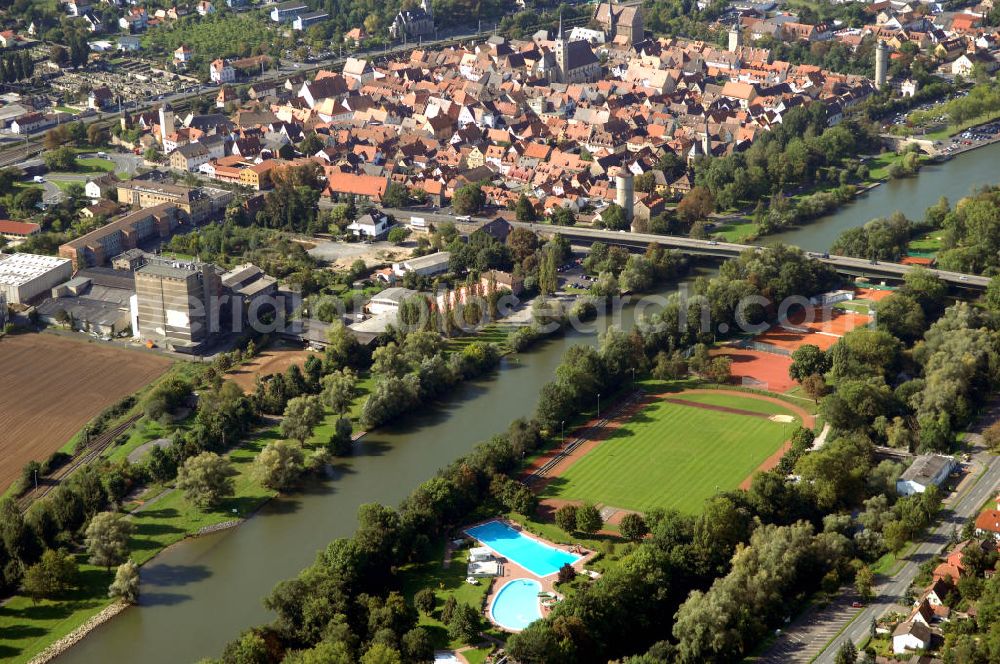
(805, 639)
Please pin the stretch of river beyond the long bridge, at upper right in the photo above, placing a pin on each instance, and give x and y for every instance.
(911, 196)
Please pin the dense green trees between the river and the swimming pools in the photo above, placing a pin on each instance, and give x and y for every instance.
(357, 619)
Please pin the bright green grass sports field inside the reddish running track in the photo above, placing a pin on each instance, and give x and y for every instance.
(675, 456)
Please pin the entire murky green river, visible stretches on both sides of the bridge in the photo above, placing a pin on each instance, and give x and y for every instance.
(201, 593)
